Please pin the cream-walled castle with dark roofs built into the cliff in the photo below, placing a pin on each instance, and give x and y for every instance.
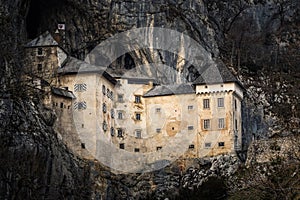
(135, 114)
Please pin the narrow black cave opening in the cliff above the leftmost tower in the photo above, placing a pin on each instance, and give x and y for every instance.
(33, 19)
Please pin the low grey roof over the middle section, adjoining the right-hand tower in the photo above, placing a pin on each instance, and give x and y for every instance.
(165, 90)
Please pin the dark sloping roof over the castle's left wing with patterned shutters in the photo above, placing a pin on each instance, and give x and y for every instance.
(75, 66)
